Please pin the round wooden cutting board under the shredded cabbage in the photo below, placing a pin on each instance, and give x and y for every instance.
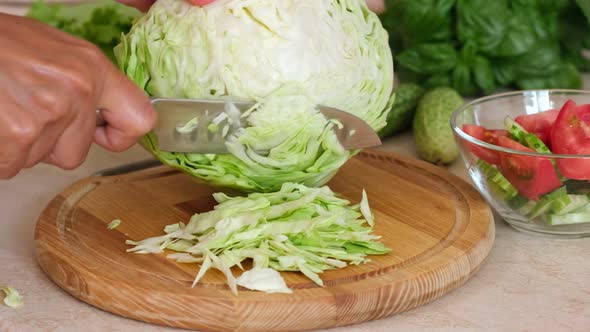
(439, 227)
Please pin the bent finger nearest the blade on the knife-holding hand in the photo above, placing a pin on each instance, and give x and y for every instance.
(127, 110)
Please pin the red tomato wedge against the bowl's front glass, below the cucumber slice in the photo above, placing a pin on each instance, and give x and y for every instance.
(532, 176)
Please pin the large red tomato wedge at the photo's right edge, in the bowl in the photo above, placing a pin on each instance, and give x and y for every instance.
(571, 135)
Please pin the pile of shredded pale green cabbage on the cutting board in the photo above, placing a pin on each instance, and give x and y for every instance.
(298, 228)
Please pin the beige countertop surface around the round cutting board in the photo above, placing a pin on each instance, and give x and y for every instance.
(528, 283)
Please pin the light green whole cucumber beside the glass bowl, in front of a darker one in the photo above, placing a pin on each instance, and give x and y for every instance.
(432, 130)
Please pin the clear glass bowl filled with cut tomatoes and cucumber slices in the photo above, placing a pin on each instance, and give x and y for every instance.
(535, 167)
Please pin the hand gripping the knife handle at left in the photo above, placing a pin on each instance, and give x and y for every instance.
(51, 85)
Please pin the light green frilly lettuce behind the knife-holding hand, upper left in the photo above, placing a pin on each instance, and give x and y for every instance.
(101, 22)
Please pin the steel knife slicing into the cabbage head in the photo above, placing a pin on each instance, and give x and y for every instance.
(202, 126)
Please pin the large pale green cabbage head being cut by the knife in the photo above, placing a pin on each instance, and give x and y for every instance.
(286, 55)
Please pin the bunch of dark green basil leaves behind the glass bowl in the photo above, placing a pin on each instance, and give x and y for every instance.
(479, 46)
